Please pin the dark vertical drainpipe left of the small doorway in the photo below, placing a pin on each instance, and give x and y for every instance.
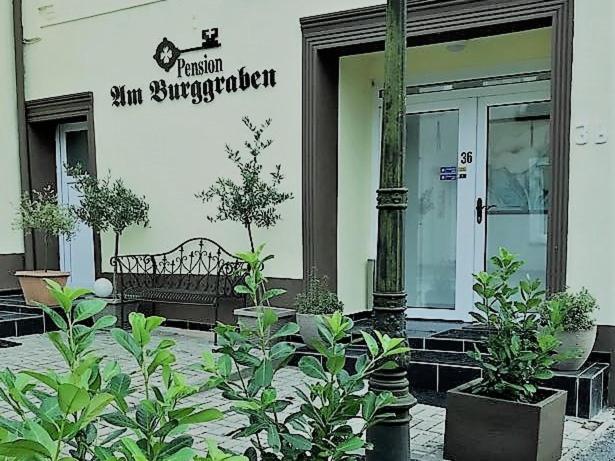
(21, 121)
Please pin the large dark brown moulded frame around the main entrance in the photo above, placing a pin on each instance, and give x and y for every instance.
(328, 37)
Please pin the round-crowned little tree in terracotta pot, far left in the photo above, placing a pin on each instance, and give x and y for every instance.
(41, 213)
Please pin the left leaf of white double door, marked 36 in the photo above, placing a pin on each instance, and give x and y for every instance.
(440, 152)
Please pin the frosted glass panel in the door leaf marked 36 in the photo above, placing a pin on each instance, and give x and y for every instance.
(432, 144)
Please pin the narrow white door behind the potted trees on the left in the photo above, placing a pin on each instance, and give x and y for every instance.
(76, 255)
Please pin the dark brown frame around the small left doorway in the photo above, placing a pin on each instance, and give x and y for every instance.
(57, 110)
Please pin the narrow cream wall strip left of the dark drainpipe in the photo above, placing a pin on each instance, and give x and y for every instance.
(11, 240)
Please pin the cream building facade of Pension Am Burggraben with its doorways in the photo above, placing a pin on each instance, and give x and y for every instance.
(508, 125)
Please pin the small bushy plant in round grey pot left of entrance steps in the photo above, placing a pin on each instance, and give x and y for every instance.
(316, 300)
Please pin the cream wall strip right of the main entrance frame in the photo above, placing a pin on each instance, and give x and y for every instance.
(592, 189)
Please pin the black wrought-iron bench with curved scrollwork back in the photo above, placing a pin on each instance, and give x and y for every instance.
(198, 273)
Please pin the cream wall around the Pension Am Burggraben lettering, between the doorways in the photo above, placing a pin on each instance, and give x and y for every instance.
(172, 150)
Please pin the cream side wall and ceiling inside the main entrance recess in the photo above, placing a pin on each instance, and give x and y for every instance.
(360, 78)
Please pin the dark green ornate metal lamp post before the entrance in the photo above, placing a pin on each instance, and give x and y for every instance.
(391, 438)
